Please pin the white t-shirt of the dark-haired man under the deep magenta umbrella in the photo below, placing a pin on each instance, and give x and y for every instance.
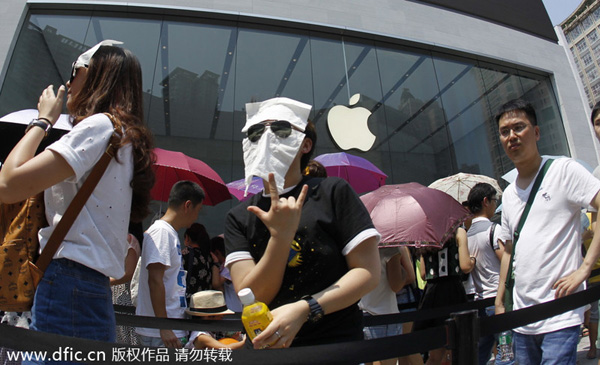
(161, 245)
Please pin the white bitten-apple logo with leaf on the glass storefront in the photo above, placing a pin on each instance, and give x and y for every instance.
(349, 126)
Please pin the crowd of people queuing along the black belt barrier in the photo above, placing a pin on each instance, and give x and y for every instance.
(306, 245)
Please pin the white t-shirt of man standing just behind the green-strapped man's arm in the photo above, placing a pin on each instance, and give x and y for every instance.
(486, 273)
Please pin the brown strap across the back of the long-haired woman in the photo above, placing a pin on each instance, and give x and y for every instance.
(64, 225)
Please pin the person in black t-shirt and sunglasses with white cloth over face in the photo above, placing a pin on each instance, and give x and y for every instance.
(306, 246)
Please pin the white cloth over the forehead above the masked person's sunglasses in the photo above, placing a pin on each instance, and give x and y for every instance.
(291, 110)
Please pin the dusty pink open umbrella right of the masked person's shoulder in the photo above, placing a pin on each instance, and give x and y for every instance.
(413, 215)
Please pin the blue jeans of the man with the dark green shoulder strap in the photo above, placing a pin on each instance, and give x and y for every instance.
(558, 347)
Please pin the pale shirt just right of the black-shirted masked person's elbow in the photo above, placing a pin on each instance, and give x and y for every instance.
(382, 300)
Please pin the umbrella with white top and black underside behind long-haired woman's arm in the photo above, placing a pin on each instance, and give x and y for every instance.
(12, 128)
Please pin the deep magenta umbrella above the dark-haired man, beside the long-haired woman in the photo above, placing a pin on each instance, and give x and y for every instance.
(171, 167)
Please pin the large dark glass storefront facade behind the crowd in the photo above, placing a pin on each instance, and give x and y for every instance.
(432, 113)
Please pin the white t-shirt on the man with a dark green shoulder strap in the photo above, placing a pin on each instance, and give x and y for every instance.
(549, 246)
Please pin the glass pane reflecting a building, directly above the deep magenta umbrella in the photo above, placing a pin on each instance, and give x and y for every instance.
(192, 92)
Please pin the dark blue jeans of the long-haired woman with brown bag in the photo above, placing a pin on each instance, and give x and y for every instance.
(74, 300)
